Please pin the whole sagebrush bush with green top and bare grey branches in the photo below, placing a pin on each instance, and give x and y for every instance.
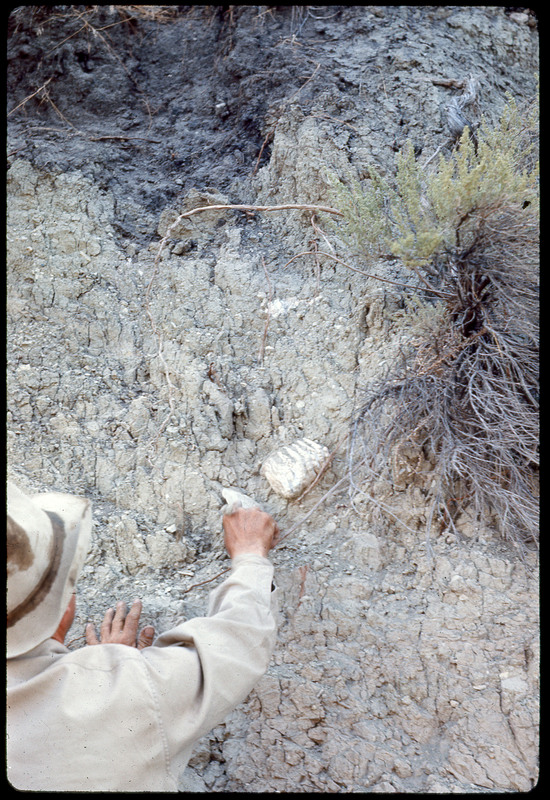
(465, 391)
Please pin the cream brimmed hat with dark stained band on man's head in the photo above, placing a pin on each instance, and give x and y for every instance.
(48, 536)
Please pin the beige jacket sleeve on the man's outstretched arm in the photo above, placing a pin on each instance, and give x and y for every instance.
(202, 669)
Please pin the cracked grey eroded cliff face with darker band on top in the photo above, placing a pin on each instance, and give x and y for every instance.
(149, 384)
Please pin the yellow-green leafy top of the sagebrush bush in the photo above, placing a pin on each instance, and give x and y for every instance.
(417, 214)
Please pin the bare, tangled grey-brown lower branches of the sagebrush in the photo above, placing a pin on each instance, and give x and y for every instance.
(466, 392)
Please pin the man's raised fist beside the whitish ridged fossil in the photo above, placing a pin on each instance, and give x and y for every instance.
(249, 531)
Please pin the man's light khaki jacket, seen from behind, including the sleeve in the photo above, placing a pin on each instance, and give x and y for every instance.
(113, 718)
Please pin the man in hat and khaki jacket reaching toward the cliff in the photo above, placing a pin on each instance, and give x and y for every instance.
(113, 716)
